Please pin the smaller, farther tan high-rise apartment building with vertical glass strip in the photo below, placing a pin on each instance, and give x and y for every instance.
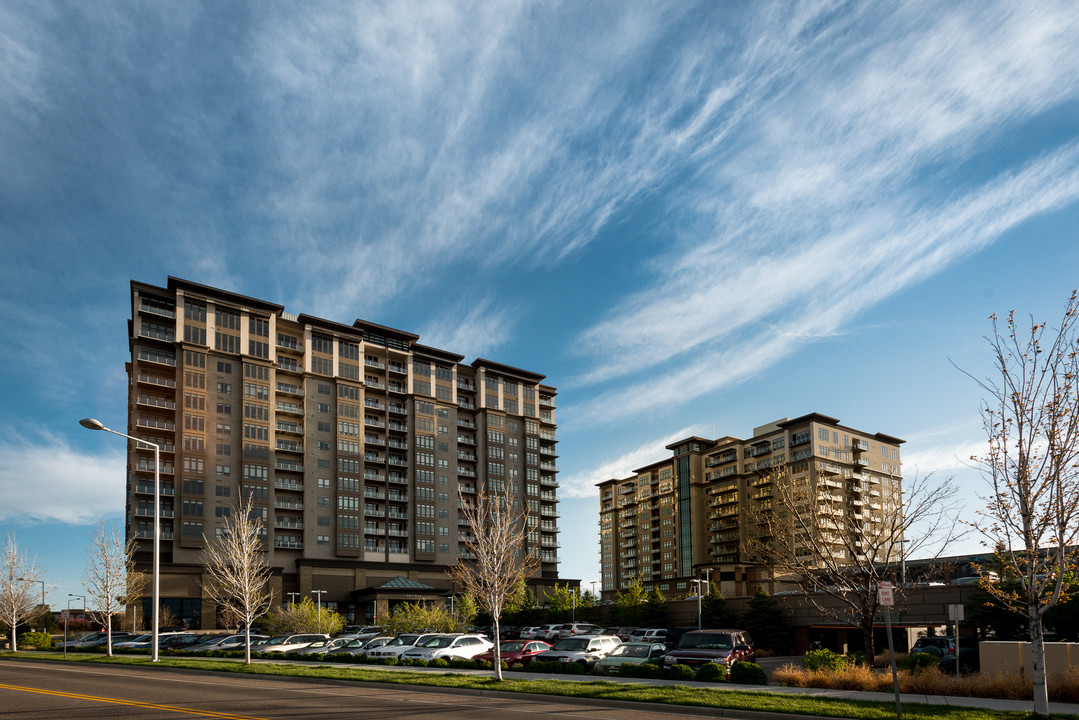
(695, 514)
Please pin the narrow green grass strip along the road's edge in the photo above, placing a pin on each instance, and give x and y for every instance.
(711, 698)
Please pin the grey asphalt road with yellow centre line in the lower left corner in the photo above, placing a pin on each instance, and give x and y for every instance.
(49, 691)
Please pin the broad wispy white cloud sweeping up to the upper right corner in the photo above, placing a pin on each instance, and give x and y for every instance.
(851, 185)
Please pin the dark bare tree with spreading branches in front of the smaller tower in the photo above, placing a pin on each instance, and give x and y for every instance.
(836, 538)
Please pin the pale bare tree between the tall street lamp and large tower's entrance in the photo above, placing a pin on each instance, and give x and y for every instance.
(237, 573)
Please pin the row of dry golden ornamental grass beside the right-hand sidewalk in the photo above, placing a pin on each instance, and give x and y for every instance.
(1063, 687)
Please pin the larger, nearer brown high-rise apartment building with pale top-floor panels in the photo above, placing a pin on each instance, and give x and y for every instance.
(353, 441)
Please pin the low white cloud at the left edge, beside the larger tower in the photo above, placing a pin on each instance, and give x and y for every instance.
(45, 480)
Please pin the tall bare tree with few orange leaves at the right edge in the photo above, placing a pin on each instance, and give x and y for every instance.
(1031, 415)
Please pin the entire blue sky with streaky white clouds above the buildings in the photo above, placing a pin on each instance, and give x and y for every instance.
(695, 219)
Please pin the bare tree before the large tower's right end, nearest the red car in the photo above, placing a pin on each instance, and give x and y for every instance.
(499, 559)
